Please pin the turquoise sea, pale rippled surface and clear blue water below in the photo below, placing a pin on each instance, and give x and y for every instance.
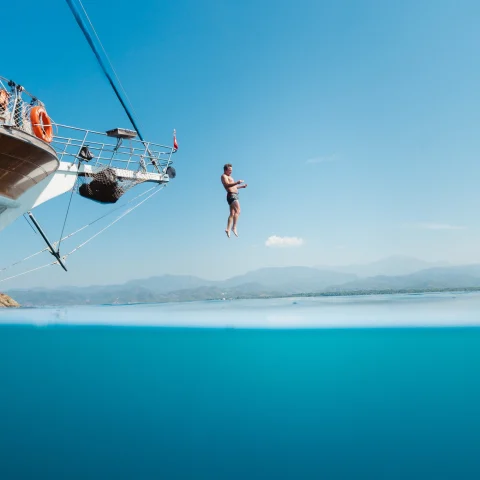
(373, 387)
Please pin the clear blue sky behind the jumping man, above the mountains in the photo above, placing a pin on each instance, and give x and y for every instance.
(355, 124)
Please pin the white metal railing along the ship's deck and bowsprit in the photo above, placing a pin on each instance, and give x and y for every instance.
(118, 148)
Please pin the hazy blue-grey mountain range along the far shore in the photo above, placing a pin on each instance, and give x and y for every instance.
(391, 274)
